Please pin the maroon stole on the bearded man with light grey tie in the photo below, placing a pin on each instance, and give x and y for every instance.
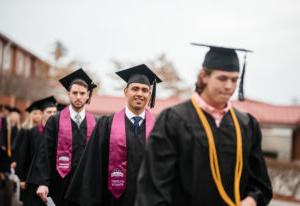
(64, 141)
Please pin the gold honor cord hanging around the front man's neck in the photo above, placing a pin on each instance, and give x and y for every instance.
(213, 158)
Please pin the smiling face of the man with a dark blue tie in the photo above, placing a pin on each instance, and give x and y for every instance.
(137, 96)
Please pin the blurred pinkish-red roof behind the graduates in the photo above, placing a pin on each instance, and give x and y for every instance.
(265, 113)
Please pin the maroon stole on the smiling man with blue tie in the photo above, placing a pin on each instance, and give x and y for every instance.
(117, 165)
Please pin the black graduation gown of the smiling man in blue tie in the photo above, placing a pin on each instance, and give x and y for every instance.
(89, 186)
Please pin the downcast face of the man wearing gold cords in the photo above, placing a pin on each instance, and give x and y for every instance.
(220, 86)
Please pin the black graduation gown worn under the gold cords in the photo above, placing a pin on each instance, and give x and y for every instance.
(176, 168)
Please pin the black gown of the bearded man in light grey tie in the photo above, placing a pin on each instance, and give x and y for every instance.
(44, 172)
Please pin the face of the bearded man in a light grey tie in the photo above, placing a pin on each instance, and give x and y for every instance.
(78, 96)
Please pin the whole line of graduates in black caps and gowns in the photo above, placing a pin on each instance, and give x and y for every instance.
(201, 152)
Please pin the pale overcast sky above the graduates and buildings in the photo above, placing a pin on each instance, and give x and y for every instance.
(97, 31)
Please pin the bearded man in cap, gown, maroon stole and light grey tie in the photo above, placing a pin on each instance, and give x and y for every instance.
(66, 135)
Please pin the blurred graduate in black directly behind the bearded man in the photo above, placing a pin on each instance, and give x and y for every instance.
(28, 147)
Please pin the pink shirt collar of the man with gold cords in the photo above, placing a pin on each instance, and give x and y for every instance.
(217, 114)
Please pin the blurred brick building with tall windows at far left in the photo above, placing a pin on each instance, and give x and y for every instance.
(18, 64)
